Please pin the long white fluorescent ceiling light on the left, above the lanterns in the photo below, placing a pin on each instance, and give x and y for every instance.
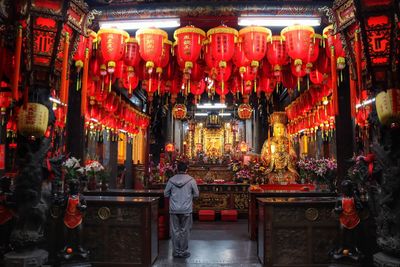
(141, 23)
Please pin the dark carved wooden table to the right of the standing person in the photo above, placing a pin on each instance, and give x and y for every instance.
(296, 231)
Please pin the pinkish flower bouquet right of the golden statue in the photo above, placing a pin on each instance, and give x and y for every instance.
(321, 171)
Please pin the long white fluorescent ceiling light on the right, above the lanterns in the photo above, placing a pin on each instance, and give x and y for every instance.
(280, 21)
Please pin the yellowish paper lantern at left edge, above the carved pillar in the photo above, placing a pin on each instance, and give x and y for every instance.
(33, 120)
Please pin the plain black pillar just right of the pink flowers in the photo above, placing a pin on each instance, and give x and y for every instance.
(344, 127)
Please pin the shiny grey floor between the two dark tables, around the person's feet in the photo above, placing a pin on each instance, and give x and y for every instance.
(214, 244)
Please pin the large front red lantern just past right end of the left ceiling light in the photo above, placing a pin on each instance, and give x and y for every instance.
(189, 40)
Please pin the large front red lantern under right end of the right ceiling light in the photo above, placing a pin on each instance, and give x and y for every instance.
(297, 39)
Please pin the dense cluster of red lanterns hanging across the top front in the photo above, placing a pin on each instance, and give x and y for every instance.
(203, 61)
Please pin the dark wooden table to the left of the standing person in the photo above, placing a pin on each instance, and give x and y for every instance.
(121, 231)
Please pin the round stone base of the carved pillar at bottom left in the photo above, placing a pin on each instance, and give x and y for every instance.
(30, 258)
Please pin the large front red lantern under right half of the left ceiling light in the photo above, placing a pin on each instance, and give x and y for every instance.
(151, 42)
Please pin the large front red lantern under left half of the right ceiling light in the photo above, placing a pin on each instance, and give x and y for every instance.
(255, 43)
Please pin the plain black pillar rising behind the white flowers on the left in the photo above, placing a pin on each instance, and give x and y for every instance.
(75, 143)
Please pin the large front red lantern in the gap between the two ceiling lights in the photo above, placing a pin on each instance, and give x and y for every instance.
(222, 44)
